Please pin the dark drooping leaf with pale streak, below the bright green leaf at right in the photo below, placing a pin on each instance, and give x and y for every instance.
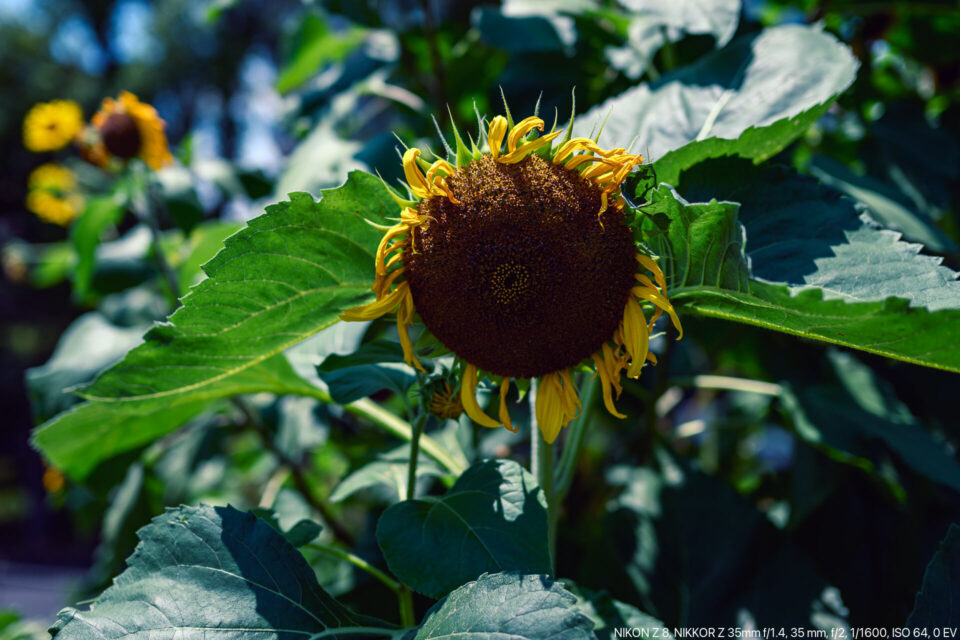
(850, 418)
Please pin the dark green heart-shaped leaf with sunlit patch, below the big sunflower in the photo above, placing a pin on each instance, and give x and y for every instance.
(494, 518)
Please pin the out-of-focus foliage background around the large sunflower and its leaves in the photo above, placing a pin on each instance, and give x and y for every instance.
(774, 467)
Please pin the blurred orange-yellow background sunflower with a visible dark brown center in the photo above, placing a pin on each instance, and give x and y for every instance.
(128, 129)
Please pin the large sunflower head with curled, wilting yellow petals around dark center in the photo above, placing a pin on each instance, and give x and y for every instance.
(518, 259)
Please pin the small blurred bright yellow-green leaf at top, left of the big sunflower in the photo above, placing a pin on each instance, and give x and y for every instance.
(316, 45)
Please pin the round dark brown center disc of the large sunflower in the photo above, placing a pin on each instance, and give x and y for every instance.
(521, 278)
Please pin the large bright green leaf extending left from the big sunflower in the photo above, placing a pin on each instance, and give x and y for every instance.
(278, 281)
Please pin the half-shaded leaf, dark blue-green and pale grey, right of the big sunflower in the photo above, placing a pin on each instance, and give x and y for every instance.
(804, 234)
